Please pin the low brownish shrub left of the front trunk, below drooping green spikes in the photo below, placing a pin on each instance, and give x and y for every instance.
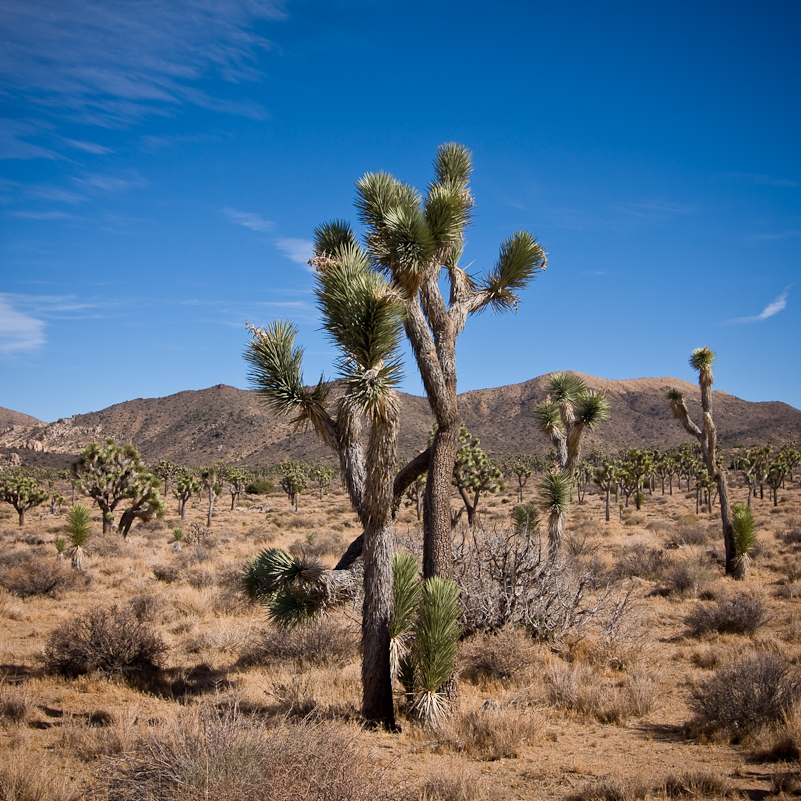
(329, 641)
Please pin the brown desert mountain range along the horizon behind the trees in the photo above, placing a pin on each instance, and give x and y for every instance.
(234, 425)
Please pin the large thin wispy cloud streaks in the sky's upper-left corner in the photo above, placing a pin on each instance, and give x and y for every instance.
(118, 62)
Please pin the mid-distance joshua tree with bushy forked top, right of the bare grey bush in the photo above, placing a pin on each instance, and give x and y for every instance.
(569, 408)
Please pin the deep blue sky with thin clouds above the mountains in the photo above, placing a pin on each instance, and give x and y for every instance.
(164, 163)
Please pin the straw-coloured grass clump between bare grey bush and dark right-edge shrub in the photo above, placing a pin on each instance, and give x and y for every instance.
(576, 688)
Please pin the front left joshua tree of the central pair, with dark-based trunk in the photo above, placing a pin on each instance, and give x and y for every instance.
(362, 312)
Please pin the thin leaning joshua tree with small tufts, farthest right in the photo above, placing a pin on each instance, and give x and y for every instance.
(702, 360)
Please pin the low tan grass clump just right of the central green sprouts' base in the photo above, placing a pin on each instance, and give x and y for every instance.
(494, 732)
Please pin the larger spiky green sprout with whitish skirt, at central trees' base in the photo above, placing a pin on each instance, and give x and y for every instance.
(436, 645)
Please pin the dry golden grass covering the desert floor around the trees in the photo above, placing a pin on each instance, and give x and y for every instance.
(535, 719)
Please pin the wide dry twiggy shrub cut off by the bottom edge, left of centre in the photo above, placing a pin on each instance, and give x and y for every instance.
(226, 755)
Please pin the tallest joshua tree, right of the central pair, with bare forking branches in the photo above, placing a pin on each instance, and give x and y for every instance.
(416, 240)
